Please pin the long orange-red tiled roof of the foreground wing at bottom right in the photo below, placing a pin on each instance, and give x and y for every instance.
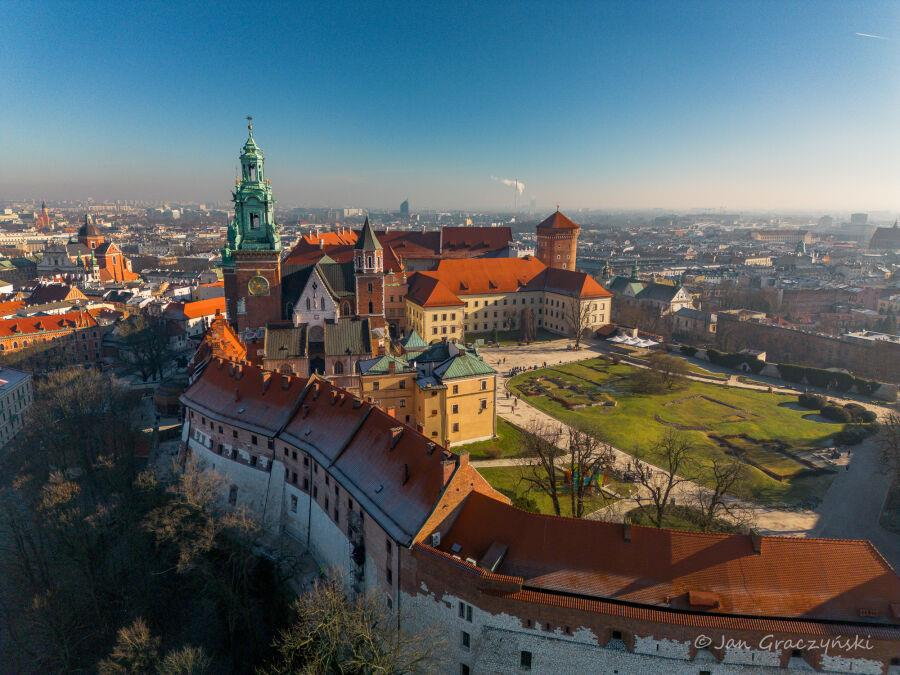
(789, 577)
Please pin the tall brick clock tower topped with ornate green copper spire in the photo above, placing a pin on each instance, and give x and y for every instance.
(251, 256)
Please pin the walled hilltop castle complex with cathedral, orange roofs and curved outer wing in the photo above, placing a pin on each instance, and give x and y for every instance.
(332, 422)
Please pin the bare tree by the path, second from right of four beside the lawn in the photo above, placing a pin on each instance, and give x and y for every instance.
(673, 455)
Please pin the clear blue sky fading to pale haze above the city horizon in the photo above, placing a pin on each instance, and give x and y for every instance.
(593, 104)
